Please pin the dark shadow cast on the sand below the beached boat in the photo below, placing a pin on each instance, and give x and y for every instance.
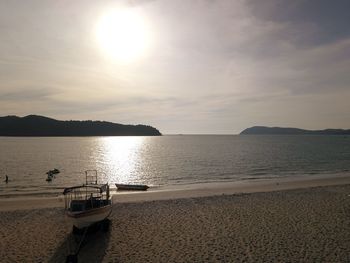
(92, 248)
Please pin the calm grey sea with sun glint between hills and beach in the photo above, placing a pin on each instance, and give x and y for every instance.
(166, 160)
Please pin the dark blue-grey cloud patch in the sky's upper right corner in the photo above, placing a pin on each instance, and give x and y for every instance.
(323, 21)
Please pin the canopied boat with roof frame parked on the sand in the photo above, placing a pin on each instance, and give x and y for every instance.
(89, 203)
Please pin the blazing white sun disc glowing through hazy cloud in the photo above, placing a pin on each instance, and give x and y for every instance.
(122, 34)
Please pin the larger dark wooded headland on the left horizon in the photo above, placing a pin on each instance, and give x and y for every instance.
(34, 125)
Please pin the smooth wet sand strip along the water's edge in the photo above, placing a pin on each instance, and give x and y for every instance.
(187, 191)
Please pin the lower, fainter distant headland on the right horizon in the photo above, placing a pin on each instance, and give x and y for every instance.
(261, 130)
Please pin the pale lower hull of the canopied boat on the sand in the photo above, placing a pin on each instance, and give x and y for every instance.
(81, 219)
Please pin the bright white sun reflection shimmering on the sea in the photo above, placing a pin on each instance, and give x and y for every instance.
(121, 158)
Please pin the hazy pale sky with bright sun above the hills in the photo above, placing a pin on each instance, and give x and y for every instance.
(203, 67)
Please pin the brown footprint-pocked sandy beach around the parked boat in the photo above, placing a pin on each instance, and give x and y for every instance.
(280, 222)
